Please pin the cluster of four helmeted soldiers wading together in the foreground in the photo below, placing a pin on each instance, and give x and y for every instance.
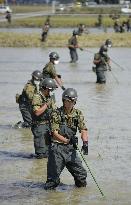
(54, 129)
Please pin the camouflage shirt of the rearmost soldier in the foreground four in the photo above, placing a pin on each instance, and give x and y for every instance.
(49, 71)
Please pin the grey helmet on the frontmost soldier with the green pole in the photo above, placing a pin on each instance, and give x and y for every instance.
(70, 94)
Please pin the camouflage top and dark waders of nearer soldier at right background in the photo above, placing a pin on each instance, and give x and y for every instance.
(101, 67)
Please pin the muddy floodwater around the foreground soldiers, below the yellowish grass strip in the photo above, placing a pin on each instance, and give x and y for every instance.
(108, 116)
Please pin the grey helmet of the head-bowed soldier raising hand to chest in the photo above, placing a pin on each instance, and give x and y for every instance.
(48, 83)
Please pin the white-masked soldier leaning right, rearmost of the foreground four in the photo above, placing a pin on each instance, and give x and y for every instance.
(49, 70)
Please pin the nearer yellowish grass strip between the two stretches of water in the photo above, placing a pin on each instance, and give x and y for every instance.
(60, 40)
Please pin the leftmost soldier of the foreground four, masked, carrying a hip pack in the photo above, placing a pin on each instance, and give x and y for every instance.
(25, 99)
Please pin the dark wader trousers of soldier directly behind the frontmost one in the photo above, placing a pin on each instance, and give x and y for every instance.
(42, 138)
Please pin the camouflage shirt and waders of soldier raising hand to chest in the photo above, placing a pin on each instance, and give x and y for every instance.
(41, 124)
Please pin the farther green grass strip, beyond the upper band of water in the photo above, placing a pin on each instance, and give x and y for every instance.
(61, 21)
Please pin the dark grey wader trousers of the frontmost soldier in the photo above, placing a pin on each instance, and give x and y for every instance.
(60, 156)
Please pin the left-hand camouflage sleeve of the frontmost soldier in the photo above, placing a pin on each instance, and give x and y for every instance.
(55, 121)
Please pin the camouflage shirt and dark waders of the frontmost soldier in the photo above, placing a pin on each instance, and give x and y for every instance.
(65, 155)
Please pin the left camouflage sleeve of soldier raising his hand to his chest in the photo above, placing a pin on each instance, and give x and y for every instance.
(36, 102)
